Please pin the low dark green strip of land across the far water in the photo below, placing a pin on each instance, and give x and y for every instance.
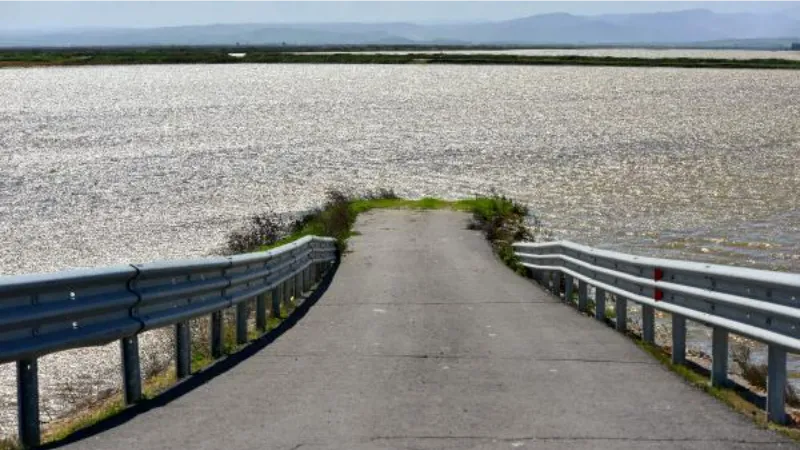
(350, 55)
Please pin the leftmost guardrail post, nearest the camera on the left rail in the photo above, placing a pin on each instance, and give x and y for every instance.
(28, 402)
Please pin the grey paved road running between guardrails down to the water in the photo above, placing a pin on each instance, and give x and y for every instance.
(424, 340)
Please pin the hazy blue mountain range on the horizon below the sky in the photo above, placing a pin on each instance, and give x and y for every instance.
(690, 26)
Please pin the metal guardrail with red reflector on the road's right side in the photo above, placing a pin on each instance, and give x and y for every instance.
(761, 305)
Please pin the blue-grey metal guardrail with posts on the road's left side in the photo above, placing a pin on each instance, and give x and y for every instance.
(42, 314)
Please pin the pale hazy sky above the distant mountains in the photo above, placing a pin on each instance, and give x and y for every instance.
(17, 14)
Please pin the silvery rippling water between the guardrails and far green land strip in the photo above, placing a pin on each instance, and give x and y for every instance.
(103, 165)
